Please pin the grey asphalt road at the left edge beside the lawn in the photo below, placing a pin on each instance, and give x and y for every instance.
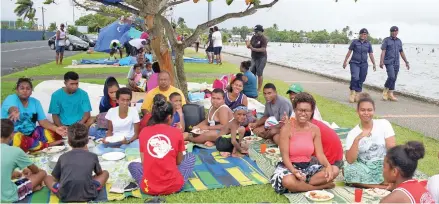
(20, 55)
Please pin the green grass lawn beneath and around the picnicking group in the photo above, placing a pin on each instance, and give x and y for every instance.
(332, 111)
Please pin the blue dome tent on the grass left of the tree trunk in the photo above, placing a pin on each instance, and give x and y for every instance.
(109, 33)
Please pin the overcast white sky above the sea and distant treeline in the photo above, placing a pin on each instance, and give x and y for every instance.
(418, 20)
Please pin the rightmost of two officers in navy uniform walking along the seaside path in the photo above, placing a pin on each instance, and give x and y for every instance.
(391, 49)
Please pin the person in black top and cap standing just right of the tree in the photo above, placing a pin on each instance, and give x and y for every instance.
(258, 47)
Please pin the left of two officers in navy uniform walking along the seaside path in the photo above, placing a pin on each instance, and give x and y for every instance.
(361, 48)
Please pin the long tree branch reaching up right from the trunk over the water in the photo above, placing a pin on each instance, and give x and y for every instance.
(200, 28)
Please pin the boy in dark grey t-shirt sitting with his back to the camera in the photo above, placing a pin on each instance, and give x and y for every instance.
(72, 179)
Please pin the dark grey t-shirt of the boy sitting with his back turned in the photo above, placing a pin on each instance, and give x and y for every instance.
(74, 172)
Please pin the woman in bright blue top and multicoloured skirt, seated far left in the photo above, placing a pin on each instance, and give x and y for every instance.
(25, 111)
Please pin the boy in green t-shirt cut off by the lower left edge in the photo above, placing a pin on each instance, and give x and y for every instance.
(12, 158)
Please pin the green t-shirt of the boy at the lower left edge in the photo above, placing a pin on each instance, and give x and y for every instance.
(12, 157)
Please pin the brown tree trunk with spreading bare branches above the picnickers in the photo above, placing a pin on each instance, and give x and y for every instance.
(154, 13)
